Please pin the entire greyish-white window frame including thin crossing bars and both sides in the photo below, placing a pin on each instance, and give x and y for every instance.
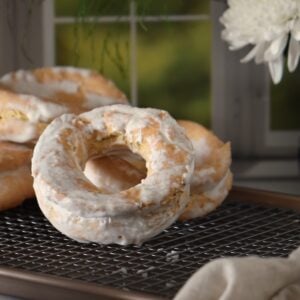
(240, 113)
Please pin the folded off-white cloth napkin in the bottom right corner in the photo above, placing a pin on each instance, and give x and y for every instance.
(245, 278)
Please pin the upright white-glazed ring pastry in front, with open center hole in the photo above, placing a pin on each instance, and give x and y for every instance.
(82, 211)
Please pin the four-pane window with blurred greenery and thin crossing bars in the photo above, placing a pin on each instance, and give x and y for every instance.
(141, 47)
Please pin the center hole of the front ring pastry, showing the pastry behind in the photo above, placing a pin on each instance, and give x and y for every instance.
(116, 171)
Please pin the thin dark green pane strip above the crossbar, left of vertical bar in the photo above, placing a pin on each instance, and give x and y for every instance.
(91, 7)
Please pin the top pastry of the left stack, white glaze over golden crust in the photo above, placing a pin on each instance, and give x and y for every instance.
(31, 99)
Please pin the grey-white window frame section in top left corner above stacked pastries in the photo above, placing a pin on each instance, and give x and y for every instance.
(24, 26)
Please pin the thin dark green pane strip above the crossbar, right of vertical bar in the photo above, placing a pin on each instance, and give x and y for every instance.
(173, 7)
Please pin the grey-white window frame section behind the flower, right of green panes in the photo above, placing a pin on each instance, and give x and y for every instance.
(241, 112)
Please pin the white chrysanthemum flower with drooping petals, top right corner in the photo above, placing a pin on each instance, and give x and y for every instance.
(269, 25)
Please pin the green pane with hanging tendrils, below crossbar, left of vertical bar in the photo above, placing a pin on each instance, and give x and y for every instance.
(103, 47)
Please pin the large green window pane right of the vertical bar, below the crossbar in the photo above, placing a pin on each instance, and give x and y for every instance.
(174, 69)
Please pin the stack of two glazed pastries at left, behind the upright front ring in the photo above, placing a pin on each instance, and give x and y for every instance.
(29, 101)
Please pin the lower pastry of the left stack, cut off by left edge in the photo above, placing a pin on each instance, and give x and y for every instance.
(15, 179)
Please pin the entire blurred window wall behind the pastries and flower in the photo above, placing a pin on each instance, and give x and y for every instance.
(169, 55)
